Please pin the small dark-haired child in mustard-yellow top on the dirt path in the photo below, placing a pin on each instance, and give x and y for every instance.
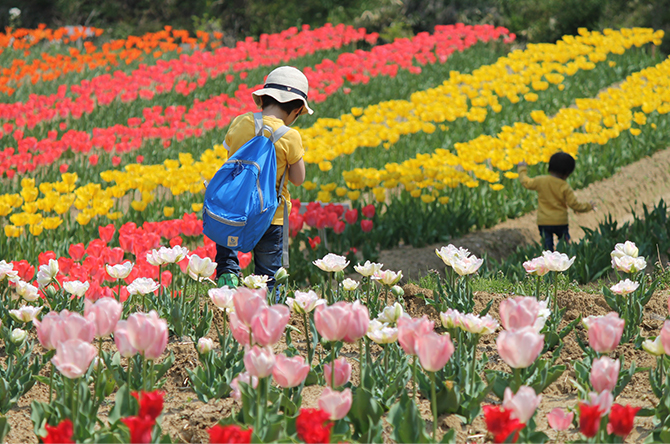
(554, 196)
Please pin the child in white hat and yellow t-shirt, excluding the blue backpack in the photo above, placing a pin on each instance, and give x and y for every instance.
(282, 99)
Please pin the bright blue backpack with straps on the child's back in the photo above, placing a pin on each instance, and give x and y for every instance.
(242, 198)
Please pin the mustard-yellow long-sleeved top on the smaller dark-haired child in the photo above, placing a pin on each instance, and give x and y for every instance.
(554, 196)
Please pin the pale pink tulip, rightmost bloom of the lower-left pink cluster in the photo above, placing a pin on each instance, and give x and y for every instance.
(148, 334)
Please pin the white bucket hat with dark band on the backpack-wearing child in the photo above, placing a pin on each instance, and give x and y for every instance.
(284, 84)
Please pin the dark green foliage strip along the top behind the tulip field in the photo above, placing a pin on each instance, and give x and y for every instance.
(531, 20)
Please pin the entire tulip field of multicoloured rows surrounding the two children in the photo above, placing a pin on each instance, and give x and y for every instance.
(113, 328)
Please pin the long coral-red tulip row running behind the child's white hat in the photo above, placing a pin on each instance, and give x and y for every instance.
(177, 123)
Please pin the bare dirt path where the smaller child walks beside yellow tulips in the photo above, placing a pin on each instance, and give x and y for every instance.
(642, 183)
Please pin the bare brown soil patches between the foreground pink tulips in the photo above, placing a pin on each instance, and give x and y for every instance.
(186, 419)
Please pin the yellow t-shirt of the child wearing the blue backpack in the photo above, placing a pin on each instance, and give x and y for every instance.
(289, 150)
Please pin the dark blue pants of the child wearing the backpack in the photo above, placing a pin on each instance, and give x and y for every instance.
(267, 256)
